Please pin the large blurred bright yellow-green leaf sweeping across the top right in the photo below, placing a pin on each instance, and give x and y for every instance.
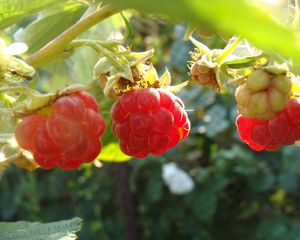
(230, 17)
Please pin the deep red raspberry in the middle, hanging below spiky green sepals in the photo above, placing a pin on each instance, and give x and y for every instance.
(148, 121)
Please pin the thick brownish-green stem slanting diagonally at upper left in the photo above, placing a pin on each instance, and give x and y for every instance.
(57, 45)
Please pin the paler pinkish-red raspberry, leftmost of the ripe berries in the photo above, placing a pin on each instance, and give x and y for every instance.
(68, 136)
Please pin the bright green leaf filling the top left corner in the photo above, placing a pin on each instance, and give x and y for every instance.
(14, 10)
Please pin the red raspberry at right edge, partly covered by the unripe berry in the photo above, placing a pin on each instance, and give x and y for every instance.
(284, 128)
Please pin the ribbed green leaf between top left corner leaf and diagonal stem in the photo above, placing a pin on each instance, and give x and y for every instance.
(50, 24)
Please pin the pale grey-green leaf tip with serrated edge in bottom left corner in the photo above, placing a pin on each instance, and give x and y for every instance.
(61, 230)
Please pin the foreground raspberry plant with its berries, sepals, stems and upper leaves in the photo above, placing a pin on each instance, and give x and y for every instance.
(65, 128)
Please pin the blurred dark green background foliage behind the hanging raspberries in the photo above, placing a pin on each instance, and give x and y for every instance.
(237, 193)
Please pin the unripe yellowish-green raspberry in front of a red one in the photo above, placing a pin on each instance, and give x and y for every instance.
(263, 94)
